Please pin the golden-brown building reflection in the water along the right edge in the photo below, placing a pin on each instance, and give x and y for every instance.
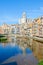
(37, 48)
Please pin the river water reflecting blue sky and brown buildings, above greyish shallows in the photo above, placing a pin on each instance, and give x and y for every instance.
(16, 46)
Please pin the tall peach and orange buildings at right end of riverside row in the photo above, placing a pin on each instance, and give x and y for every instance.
(37, 27)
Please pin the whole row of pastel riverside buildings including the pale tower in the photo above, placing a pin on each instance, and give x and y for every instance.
(25, 27)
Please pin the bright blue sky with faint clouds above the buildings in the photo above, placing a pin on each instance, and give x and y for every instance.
(11, 10)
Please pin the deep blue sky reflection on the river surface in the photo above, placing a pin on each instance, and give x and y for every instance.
(8, 51)
